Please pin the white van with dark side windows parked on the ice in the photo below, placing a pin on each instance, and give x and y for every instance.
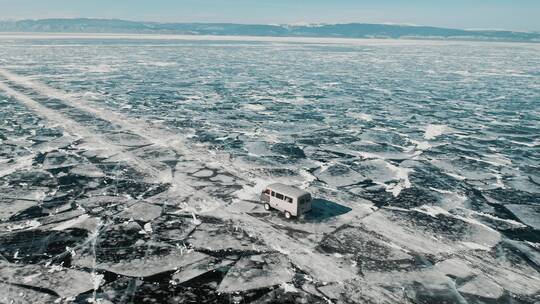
(292, 201)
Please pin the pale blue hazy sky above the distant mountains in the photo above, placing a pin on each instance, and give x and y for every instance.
(520, 15)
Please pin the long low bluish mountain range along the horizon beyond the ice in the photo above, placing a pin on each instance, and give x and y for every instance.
(350, 30)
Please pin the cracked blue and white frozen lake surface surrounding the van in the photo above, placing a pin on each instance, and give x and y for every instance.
(131, 173)
